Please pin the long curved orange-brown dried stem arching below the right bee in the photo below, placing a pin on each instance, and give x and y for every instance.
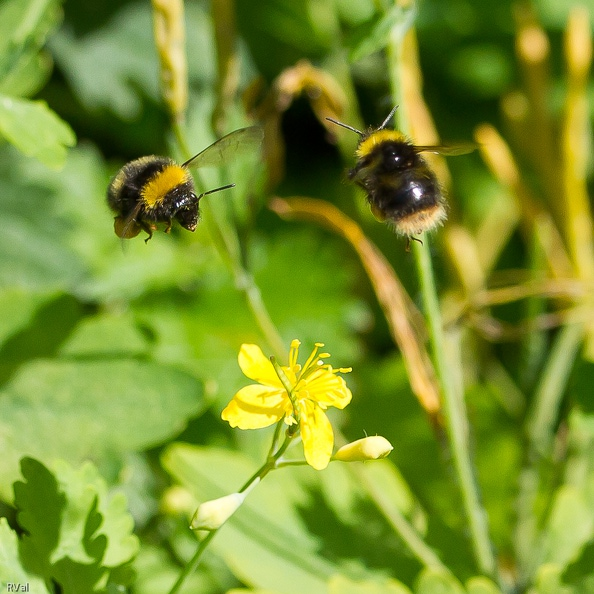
(391, 295)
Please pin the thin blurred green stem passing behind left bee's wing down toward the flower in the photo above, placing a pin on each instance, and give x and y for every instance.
(227, 242)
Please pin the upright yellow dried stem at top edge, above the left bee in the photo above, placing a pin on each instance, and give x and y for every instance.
(169, 32)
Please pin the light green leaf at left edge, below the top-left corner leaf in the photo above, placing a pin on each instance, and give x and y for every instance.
(35, 130)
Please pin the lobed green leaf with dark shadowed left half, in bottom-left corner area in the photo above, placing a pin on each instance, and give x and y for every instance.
(74, 535)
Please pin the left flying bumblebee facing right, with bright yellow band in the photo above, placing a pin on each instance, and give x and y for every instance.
(154, 189)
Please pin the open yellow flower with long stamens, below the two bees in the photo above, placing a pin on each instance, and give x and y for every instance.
(302, 396)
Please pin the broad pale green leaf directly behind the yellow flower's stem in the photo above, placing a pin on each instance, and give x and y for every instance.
(265, 539)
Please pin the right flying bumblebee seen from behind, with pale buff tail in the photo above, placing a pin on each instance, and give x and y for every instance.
(401, 187)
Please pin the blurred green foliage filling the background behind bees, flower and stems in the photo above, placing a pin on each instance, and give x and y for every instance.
(116, 360)
